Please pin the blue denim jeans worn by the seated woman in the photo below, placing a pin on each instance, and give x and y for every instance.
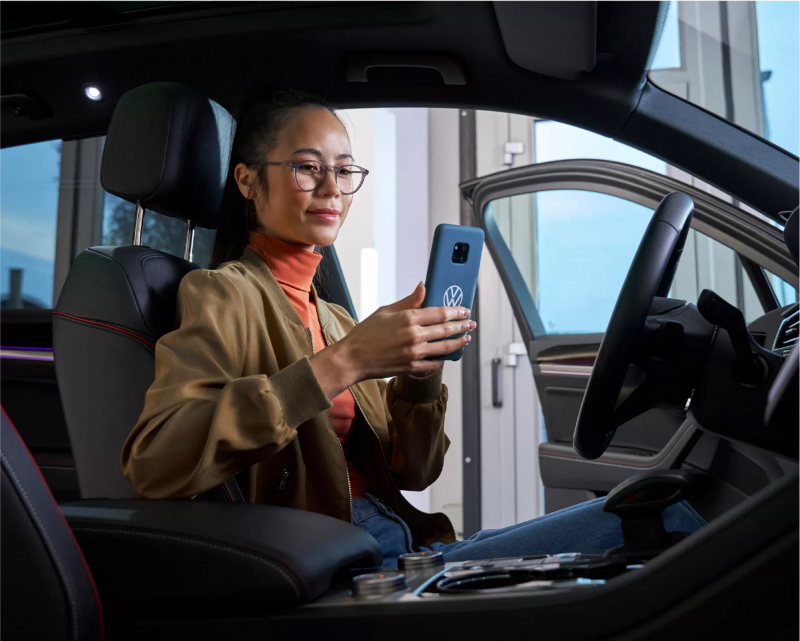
(580, 528)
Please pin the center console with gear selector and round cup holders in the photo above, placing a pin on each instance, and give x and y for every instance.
(638, 502)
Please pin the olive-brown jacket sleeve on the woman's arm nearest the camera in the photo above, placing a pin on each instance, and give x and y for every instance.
(203, 421)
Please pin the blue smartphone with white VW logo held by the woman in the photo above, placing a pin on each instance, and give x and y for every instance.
(453, 272)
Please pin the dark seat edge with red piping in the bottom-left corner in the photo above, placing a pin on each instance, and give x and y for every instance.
(47, 590)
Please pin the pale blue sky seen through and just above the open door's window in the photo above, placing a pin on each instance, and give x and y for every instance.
(585, 240)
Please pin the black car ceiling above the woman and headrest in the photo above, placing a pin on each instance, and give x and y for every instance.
(231, 50)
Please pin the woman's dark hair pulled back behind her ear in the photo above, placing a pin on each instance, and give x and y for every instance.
(257, 132)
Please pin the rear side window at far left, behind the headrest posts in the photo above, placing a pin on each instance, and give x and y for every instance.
(35, 255)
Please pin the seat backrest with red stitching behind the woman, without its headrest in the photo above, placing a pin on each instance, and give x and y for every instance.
(115, 305)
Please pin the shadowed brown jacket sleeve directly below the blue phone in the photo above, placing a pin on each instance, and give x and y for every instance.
(416, 409)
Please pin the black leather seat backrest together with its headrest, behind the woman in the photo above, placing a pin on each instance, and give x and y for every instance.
(167, 148)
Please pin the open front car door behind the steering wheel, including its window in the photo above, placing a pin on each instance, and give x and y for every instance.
(562, 235)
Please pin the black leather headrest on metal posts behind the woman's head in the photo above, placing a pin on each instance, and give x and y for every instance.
(168, 146)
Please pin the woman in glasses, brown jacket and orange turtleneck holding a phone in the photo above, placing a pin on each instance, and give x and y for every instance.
(263, 376)
